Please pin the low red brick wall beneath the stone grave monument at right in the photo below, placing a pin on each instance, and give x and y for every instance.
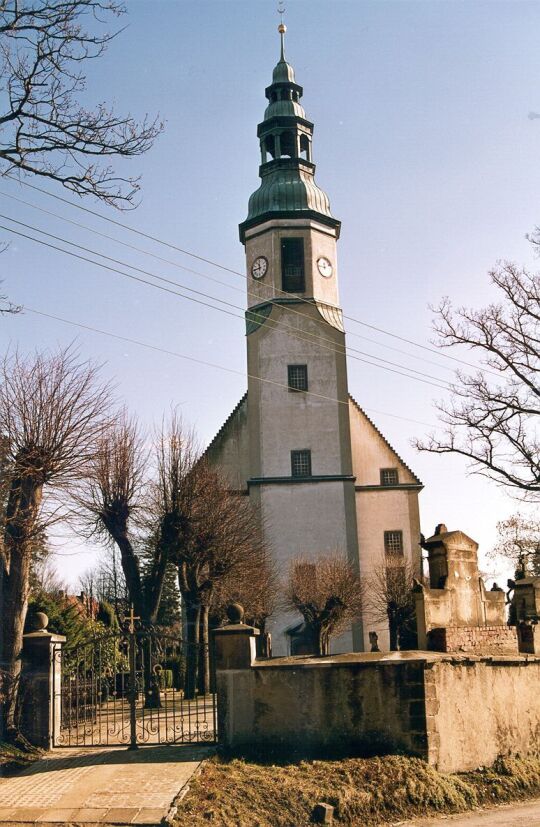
(485, 640)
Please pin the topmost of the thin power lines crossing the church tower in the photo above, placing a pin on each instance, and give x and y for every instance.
(234, 272)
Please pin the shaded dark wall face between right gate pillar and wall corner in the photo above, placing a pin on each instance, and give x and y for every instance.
(301, 706)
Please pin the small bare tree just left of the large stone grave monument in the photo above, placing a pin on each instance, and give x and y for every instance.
(390, 600)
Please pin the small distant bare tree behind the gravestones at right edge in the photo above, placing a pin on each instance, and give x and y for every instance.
(519, 541)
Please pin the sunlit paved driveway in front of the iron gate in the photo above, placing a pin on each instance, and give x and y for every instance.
(100, 786)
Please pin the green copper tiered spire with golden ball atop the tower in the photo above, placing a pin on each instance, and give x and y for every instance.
(287, 171)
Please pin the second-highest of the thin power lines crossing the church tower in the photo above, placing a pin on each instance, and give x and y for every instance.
(227, 285)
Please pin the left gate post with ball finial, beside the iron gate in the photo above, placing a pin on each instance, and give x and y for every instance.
(41, 693)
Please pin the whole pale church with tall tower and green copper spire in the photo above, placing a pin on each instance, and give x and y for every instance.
(321, 473)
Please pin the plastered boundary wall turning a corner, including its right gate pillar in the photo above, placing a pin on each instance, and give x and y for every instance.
(456, 712)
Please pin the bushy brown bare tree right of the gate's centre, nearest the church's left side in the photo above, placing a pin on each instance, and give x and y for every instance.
(205, 530)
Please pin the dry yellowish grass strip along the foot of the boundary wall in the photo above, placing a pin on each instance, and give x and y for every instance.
(364, 791)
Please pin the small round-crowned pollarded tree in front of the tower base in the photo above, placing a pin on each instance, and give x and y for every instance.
(328, 594)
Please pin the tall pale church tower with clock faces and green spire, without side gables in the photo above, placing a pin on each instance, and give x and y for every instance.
(300, 447)
